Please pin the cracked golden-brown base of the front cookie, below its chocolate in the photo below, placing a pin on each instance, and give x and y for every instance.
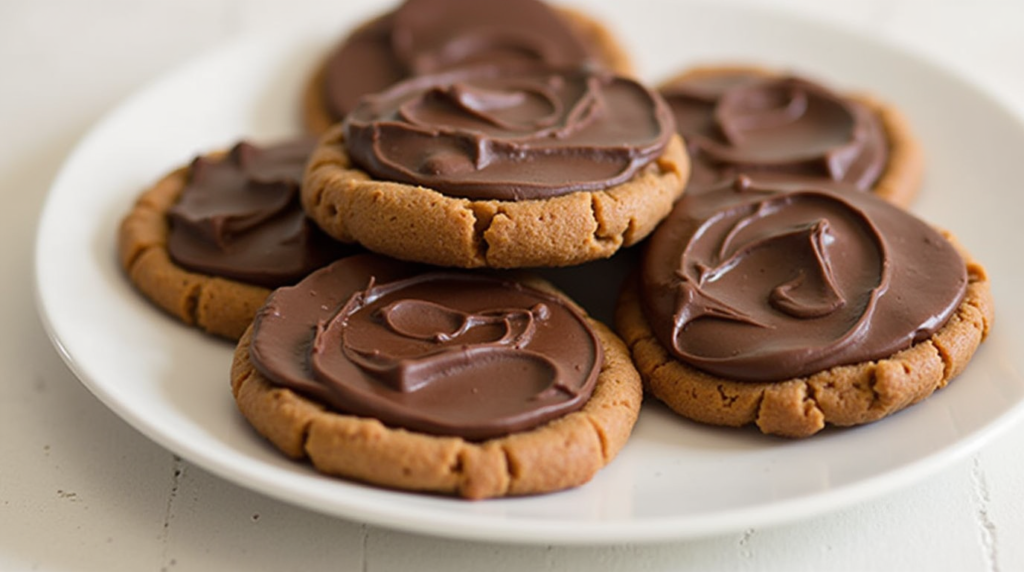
(563, 454)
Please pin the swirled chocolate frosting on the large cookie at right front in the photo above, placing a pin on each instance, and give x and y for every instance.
(766, 280)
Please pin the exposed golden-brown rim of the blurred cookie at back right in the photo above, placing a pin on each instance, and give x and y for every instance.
(903, 178)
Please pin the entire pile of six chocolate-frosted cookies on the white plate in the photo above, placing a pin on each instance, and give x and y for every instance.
(380, 278)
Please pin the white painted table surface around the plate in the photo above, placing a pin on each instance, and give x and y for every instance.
(82, 491)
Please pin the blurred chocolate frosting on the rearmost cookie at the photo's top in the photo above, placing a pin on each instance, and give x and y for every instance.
(430, 36)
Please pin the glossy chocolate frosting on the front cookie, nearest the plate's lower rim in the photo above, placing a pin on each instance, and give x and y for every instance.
(437, 353)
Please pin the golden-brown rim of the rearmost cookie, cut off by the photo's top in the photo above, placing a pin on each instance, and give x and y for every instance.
(318, 119)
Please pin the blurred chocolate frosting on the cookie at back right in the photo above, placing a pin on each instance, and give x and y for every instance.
(746, 123)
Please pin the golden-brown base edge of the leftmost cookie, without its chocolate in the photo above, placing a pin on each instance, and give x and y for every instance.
(219, 306)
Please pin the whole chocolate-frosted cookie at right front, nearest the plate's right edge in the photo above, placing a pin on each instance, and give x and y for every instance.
(795, 305)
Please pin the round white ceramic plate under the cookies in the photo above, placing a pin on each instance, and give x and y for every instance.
(674, 480)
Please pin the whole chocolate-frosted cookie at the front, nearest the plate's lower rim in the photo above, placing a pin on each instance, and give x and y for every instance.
(414, 378)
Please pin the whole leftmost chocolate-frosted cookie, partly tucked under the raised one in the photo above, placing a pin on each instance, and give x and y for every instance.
(209, 241)
